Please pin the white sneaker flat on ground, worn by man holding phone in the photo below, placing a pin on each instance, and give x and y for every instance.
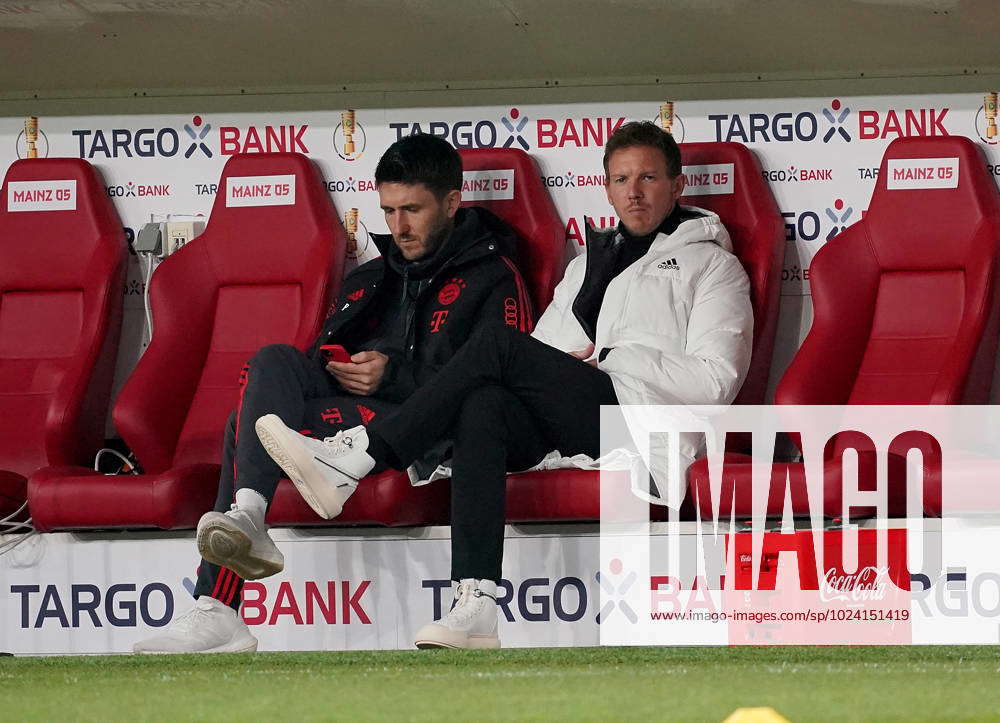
(209, 627)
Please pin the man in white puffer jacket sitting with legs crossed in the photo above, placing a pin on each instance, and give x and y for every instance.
(656, 312)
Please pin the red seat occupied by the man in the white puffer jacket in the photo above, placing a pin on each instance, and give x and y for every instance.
(750, 214)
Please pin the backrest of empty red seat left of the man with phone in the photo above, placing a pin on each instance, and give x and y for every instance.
(262, 273)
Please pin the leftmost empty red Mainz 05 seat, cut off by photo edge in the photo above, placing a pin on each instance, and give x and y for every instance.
(62, 275)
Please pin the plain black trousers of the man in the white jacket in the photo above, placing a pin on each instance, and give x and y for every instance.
(506, 399)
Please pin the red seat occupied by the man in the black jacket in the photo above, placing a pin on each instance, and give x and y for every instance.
(515, 193)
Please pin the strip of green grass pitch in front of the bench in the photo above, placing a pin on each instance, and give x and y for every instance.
(701, 684)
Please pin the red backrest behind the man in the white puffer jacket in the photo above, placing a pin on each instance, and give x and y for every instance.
(726, 178)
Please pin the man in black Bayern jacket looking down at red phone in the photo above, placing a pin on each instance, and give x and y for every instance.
(444, 271)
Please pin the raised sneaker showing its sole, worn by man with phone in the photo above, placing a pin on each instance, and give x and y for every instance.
(238, 541)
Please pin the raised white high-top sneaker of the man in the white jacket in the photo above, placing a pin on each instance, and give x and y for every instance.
(325, 473)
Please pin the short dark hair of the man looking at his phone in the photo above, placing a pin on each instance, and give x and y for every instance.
(422, 159)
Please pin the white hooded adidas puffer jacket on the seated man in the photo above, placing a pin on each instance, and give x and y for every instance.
(679, 327)
